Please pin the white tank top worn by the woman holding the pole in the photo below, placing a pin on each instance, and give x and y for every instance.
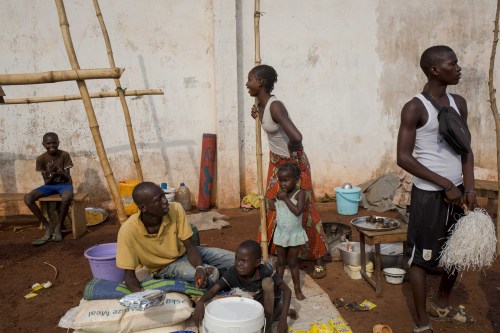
(278, 140)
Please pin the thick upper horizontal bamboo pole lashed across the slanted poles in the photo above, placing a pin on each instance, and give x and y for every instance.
(57, 76)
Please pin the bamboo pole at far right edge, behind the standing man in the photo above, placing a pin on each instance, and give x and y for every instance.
(494, 109)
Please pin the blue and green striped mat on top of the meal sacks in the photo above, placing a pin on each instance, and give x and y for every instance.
(104, 289)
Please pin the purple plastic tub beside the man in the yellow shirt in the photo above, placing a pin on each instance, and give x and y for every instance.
(102, 260)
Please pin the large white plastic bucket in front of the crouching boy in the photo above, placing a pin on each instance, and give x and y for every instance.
(234, 315)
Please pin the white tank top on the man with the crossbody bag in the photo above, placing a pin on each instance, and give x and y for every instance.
(434, 152)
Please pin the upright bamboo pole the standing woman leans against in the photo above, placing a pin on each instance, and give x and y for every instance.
(258, 143)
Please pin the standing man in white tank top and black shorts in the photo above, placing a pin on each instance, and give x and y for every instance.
(443, 181)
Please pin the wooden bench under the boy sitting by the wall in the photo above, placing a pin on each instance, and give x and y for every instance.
(77, 209)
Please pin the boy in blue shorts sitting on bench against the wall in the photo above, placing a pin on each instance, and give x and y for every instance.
(54, 166)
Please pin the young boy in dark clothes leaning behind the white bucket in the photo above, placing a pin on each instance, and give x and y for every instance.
(249, 275)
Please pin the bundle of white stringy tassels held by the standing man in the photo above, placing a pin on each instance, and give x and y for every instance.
(472, 244)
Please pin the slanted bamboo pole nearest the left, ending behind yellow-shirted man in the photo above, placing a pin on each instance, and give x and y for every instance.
(89, 109)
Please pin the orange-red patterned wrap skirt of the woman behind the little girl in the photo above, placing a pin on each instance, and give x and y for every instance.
(311, 221)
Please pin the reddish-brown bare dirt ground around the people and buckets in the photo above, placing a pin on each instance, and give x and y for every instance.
(22, 265)
